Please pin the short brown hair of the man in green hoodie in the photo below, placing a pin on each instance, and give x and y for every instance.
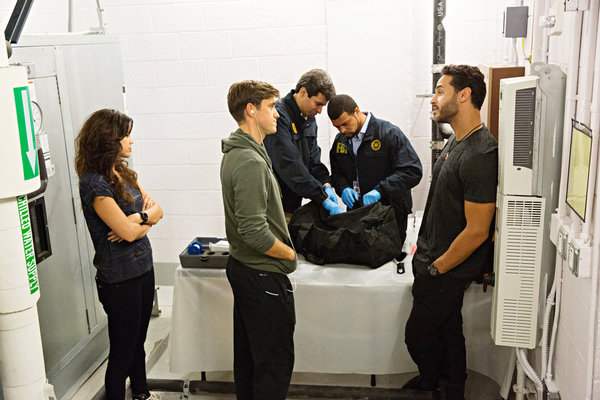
(244, 92)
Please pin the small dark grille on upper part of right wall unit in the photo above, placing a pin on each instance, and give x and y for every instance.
(524, 117)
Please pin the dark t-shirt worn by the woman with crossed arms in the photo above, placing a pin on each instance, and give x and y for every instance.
(115, 262)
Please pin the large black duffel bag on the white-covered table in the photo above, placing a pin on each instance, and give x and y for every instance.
(367, 236)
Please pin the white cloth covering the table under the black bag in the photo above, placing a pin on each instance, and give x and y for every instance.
(350, 319)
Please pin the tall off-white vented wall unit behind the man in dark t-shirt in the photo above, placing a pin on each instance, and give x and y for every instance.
(529, 152)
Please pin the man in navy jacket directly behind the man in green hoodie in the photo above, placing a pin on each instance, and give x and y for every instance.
(293, 149)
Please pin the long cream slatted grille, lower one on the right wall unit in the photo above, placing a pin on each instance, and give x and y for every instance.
(523, 222)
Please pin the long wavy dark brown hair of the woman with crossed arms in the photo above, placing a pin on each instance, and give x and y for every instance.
(97, 149)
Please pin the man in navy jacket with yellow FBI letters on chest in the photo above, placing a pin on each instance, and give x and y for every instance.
(372, 160)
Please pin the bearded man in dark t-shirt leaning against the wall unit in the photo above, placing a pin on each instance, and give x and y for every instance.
(454, 241)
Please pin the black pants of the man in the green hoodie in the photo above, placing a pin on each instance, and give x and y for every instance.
(263, 332)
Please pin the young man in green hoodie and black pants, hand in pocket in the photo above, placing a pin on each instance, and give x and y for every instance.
(261, 249)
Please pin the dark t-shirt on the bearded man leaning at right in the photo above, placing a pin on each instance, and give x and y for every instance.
(467, 170)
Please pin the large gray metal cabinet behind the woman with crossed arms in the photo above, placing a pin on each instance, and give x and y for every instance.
(70, 77)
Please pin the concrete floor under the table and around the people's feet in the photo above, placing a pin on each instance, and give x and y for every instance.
(479, 387)
